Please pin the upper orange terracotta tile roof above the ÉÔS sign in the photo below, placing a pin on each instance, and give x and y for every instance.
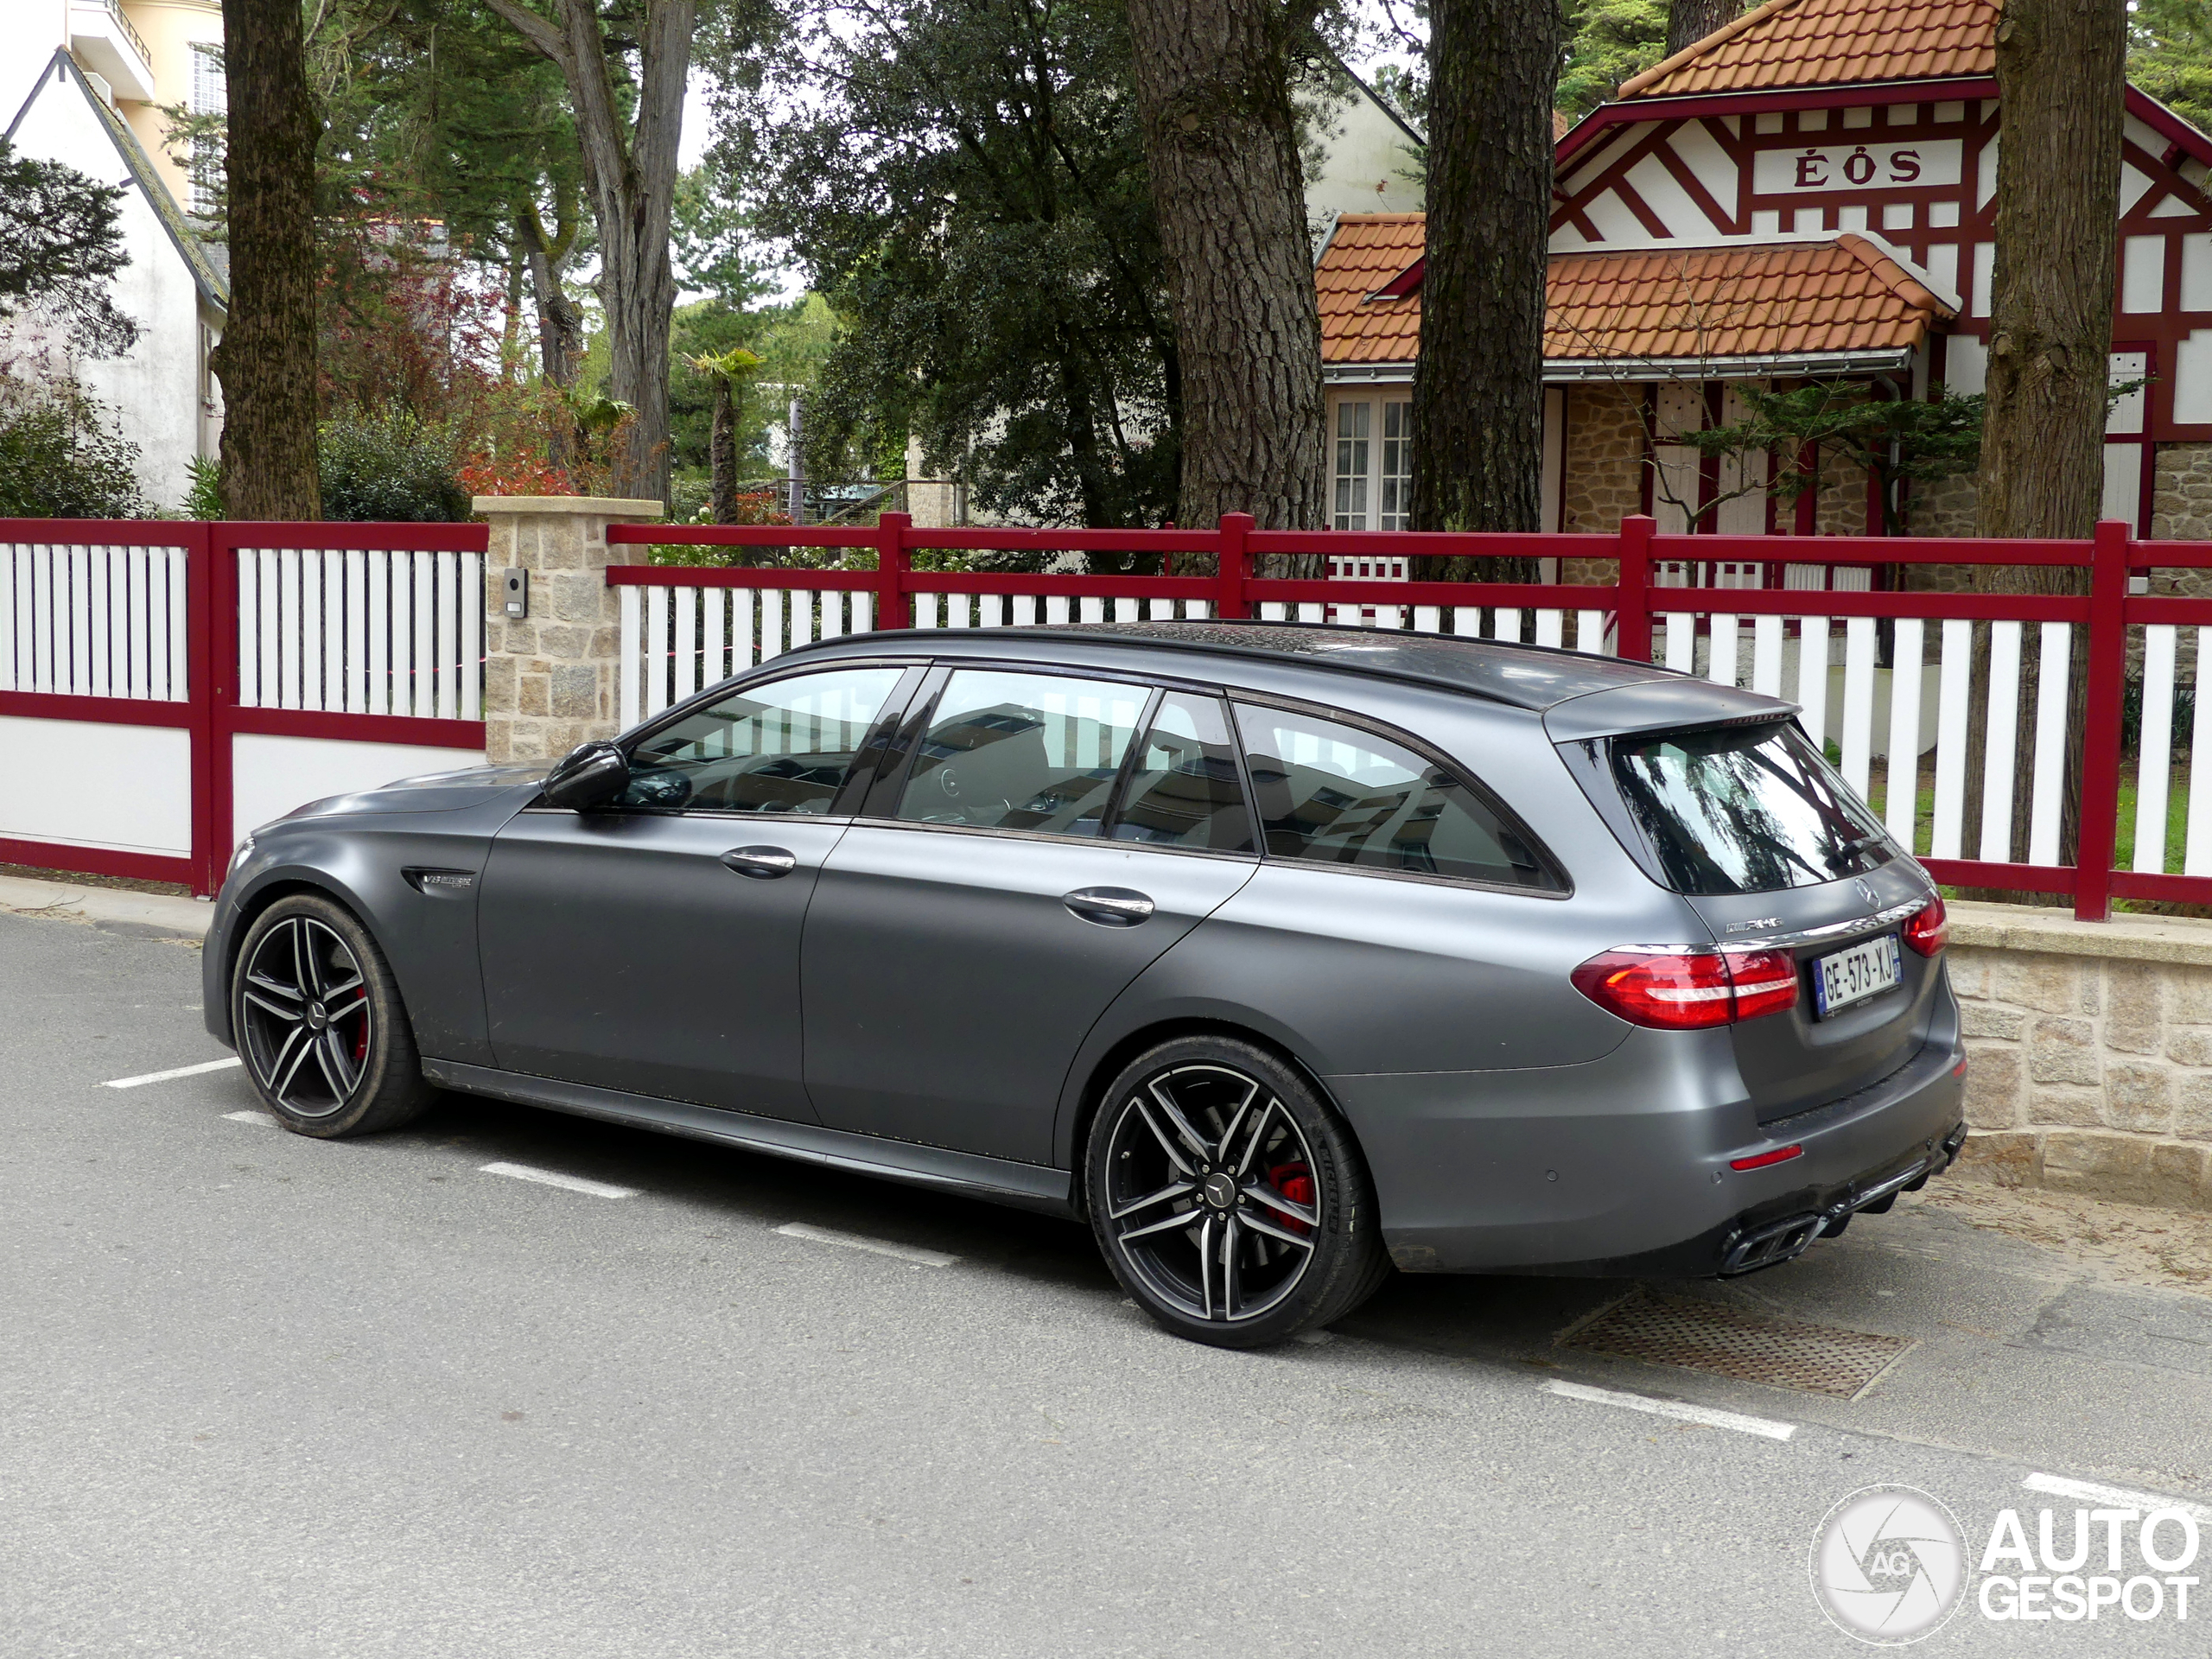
(1830, 43)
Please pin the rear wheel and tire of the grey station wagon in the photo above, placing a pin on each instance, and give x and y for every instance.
(1280, 1220)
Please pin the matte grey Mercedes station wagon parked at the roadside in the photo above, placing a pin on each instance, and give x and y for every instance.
(1277, 954)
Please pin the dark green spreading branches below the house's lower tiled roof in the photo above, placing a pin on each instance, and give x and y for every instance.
(1870, 426)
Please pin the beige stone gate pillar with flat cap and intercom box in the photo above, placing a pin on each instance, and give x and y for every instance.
(552, 680)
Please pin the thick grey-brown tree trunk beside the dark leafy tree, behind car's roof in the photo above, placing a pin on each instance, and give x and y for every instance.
(1220, 138)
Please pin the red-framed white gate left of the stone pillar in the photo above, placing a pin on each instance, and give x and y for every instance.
(165, 687)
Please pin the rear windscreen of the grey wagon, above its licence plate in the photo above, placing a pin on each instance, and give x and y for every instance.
(1746, 811)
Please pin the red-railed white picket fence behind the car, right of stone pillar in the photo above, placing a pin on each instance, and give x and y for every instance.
(1815, 640)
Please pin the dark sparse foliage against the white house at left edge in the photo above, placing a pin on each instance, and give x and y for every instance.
(61, 242)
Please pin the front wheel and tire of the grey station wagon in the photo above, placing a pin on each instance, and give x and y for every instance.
(322, 1027)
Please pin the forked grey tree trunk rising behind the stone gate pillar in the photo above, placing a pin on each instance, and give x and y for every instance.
(629, 176)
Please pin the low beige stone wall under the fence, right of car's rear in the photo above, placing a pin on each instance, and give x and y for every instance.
(2089, 1054)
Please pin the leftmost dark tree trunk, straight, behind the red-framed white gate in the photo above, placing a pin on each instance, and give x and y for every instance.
(267, 357)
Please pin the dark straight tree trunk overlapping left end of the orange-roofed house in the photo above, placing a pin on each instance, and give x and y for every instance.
(1479, 401)
